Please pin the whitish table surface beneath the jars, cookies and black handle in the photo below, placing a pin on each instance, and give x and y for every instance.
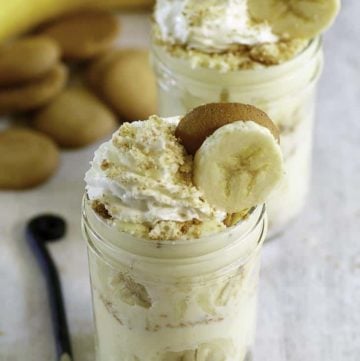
(309, 306)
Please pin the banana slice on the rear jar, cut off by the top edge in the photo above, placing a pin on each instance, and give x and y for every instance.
(295, 18)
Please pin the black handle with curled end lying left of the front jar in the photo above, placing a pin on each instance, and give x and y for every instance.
(39, 230)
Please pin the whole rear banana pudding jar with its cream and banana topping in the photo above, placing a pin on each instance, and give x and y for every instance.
(264, 53)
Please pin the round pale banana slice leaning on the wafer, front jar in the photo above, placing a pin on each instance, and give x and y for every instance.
(238, 166)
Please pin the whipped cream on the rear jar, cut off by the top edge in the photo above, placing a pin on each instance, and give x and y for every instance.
(209, 25)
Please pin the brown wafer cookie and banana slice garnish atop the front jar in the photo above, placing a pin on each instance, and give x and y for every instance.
(240, 161)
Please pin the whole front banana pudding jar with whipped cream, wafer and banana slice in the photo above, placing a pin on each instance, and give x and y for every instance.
(174, 218)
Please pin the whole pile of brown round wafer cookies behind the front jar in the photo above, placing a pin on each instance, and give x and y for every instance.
(39, 78)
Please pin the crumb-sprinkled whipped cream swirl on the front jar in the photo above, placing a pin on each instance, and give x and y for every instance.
(142, 180)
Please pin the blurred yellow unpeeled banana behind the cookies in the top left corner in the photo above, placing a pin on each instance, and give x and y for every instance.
(17, 16)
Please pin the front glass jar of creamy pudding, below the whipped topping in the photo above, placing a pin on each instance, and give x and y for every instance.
(192, 300)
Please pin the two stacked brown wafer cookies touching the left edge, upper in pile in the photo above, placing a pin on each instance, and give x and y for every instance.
(30, 74)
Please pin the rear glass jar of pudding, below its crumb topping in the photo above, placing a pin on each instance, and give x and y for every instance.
(286, 92)
